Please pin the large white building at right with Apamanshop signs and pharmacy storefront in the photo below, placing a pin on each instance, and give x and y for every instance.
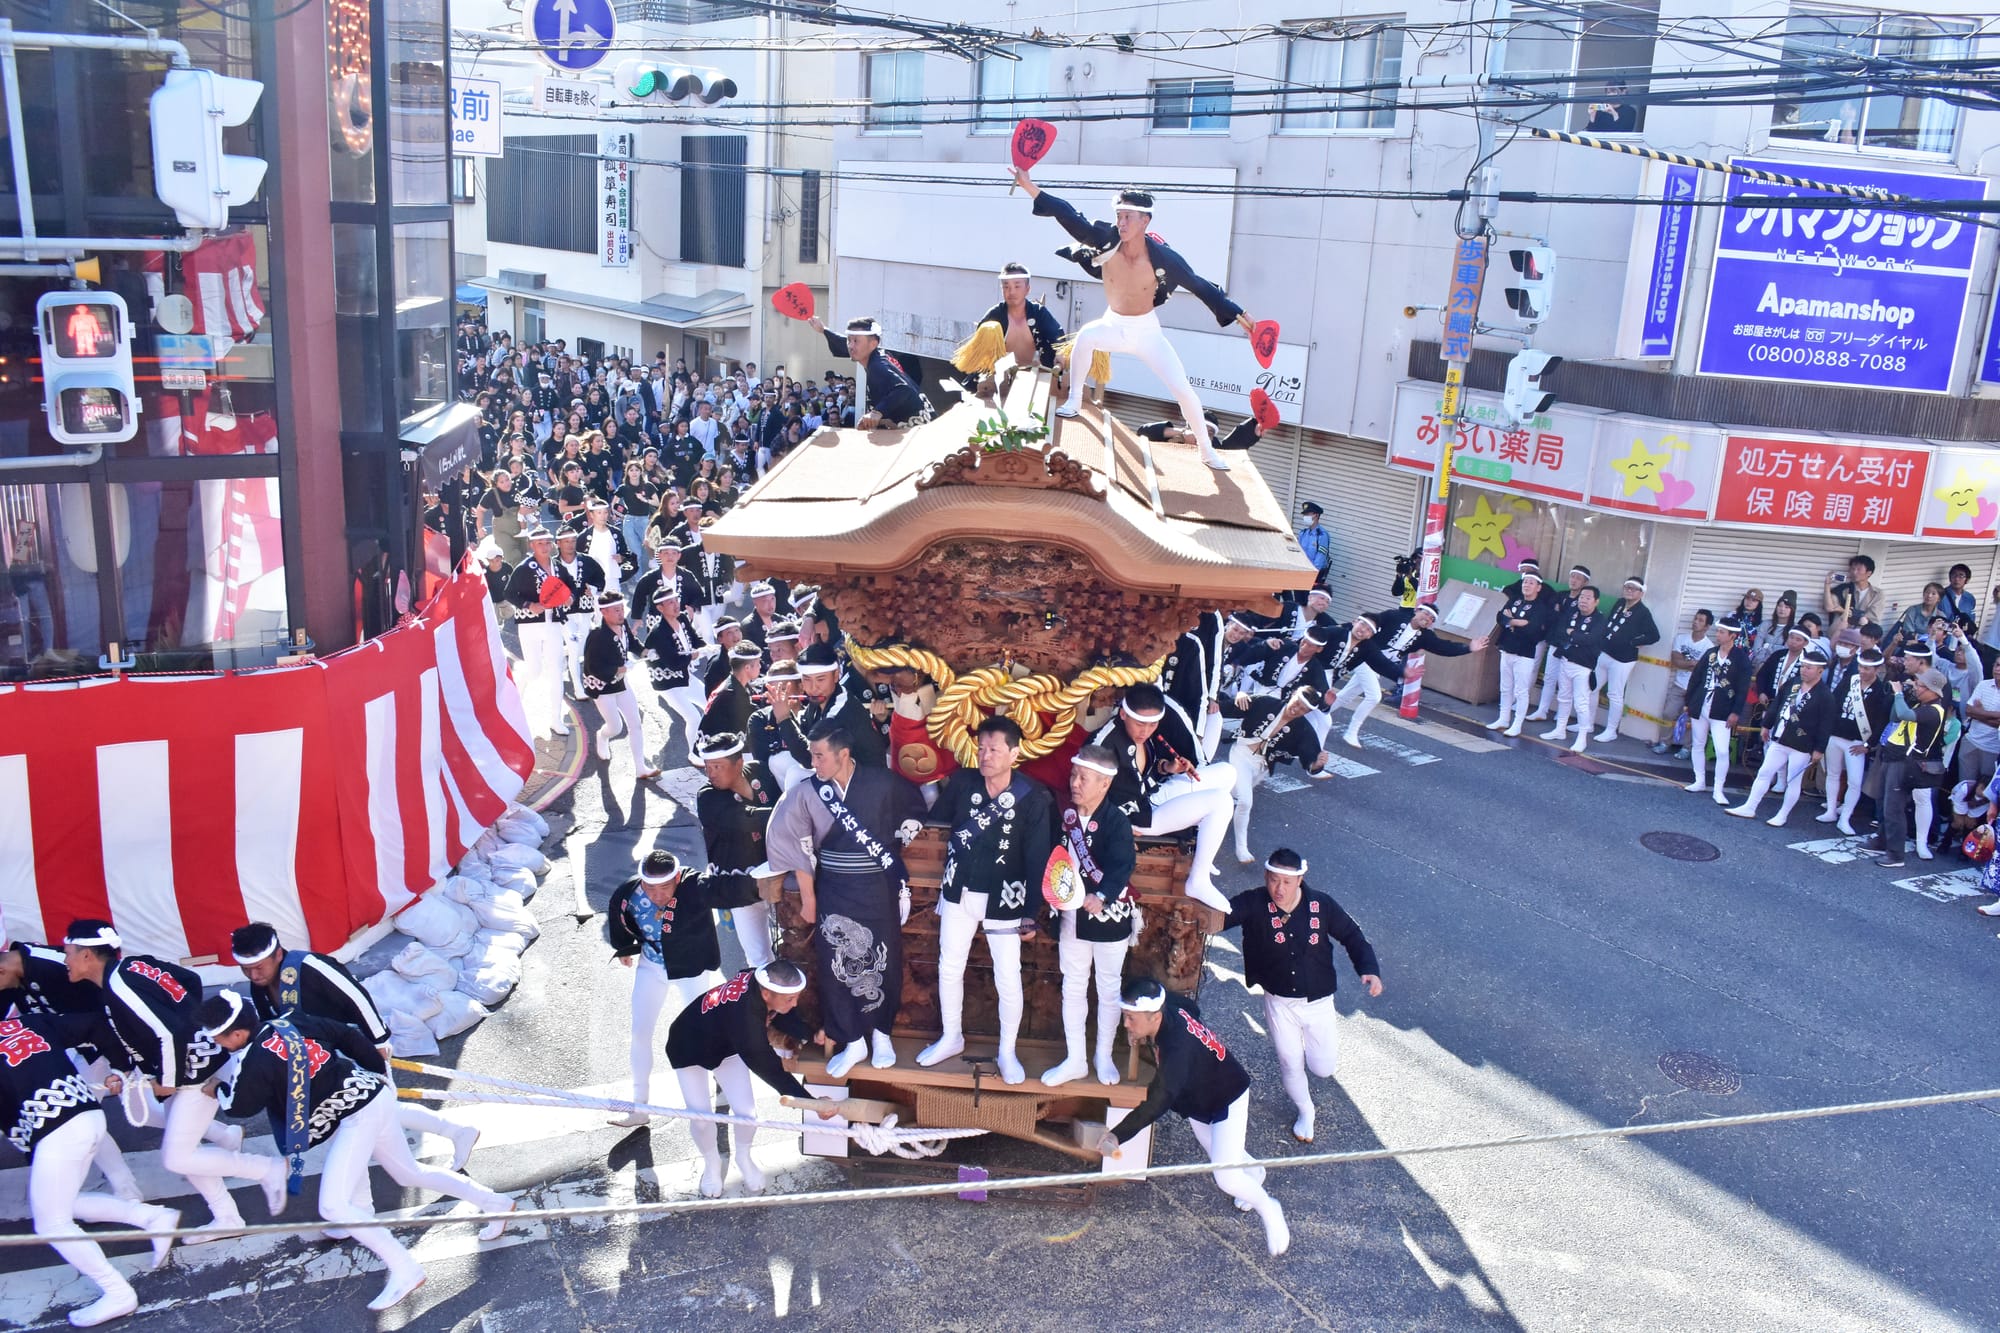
(1831, 385)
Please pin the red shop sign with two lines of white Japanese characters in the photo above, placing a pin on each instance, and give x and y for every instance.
(1821, 485)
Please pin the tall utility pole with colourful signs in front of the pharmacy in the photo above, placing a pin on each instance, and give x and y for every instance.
(1459, 323)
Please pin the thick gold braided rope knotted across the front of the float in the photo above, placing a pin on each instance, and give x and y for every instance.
(965, 700)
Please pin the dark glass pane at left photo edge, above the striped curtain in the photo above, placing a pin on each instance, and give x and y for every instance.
(49, 609)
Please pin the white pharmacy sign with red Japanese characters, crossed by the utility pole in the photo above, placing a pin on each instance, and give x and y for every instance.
(1547, 457)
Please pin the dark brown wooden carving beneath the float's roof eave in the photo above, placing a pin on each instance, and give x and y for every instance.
(985, 599)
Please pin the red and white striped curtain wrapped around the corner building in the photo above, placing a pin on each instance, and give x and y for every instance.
(317, 798)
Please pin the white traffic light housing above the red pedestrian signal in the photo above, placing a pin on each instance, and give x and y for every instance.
(189, 169)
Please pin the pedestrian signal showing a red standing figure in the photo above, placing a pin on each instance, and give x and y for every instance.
(87, 367)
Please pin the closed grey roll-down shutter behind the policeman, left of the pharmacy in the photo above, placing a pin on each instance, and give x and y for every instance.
(1373, 517)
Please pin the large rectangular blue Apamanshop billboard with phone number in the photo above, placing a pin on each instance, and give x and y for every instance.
(1841, 293)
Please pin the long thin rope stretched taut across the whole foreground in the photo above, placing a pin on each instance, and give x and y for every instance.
(883, 1194)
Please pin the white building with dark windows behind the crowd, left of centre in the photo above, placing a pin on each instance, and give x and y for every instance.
(721, 207)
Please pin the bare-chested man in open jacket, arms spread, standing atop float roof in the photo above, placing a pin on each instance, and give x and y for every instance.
(1139, 273)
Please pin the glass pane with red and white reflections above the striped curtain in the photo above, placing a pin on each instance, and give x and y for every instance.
(201, 569)
